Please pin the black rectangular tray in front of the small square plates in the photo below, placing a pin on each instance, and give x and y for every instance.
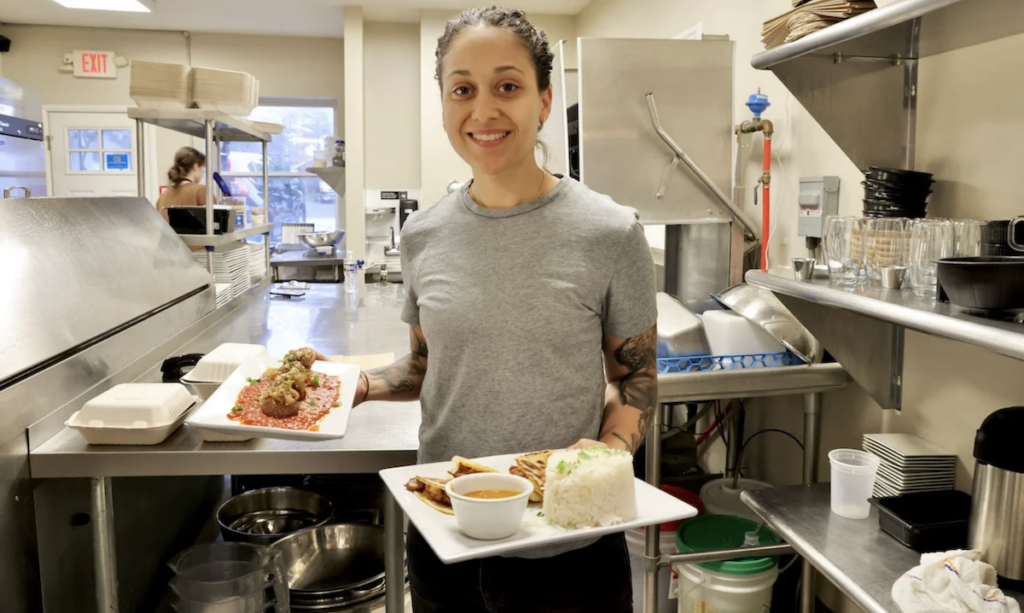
(934, 521)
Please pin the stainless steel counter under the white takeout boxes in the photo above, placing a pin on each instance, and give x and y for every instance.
(380, 434)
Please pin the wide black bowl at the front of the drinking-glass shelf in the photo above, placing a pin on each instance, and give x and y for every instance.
(986, 283)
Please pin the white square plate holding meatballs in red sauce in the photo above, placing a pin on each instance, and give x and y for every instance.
(214, 414)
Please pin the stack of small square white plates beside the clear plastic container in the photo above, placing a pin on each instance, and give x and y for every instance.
(910, 464)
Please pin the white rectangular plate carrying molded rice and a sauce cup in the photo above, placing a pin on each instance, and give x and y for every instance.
(654, 507)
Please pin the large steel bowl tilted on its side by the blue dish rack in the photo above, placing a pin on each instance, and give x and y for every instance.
(761, 308)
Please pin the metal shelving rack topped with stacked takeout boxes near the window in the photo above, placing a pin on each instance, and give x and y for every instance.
(215, 127)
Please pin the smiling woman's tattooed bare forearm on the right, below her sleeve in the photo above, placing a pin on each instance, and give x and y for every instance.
(632, 395)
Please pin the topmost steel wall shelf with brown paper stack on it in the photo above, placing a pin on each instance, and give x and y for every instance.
(945, 26)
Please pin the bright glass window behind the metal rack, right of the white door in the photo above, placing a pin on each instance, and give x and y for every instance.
(296, 196)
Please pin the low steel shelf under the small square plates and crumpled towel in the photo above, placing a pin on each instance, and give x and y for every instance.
(856, 555)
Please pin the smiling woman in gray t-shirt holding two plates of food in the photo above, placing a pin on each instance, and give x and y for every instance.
(532, 305)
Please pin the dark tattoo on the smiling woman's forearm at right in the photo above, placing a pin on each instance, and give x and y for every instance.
(639, 388)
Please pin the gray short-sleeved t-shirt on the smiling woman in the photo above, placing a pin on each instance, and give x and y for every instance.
(514, 304)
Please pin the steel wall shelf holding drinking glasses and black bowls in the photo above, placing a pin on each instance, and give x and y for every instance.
(904, 309)
